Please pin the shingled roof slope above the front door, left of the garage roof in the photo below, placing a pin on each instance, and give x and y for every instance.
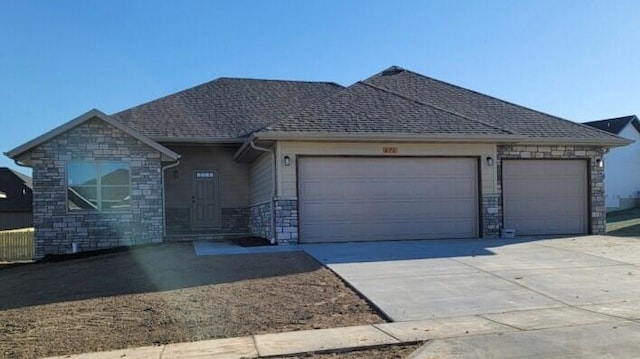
(223, 108)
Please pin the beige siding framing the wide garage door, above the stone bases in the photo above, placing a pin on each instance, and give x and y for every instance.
(287, 174)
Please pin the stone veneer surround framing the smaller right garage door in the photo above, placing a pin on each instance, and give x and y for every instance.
(596, 180)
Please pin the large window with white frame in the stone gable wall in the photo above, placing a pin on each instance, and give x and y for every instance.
(102, 186)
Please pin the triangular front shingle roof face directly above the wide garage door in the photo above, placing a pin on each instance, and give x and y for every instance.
(362, 108)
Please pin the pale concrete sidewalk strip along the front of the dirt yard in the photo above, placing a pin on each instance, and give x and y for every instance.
(307, 341)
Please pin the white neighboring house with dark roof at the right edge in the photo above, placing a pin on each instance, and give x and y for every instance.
(621, 165)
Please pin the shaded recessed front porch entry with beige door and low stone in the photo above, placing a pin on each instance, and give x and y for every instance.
(207, 196)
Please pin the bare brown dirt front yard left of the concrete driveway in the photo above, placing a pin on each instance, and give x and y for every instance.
(166, 294)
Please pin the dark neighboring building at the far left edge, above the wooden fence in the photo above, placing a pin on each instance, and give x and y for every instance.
(15, 200)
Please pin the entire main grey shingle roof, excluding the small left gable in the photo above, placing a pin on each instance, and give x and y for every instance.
(393, 101)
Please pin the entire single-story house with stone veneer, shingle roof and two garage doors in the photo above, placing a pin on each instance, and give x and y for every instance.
(396, 156)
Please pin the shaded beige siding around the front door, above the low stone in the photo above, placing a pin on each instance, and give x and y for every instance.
(234, 177)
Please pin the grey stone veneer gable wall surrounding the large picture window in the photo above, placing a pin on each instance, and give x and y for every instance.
(94, 140)
